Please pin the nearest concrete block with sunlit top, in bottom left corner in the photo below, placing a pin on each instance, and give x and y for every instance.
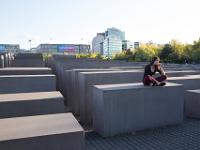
(43, 132)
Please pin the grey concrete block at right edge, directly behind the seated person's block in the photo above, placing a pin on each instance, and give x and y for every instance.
(190, 82)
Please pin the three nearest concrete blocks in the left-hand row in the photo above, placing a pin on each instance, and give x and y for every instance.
(36, 120)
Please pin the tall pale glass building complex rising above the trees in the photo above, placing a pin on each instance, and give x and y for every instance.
(109, 42)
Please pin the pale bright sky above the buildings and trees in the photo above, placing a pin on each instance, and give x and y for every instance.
(78, 21)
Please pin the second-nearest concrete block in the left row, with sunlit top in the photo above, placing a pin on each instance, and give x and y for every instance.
(29, 104)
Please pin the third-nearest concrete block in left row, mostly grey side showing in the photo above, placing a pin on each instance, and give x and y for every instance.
(27, 83)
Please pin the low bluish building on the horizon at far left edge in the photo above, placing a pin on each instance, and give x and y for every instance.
(9, 48)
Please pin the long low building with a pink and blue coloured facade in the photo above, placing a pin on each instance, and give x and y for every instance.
(63, 48)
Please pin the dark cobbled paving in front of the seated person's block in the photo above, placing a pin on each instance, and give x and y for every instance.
(180, 137)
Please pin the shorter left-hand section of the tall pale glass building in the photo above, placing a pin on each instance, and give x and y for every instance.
(97, 43)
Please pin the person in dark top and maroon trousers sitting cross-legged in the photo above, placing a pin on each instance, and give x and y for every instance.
(150, 70)
